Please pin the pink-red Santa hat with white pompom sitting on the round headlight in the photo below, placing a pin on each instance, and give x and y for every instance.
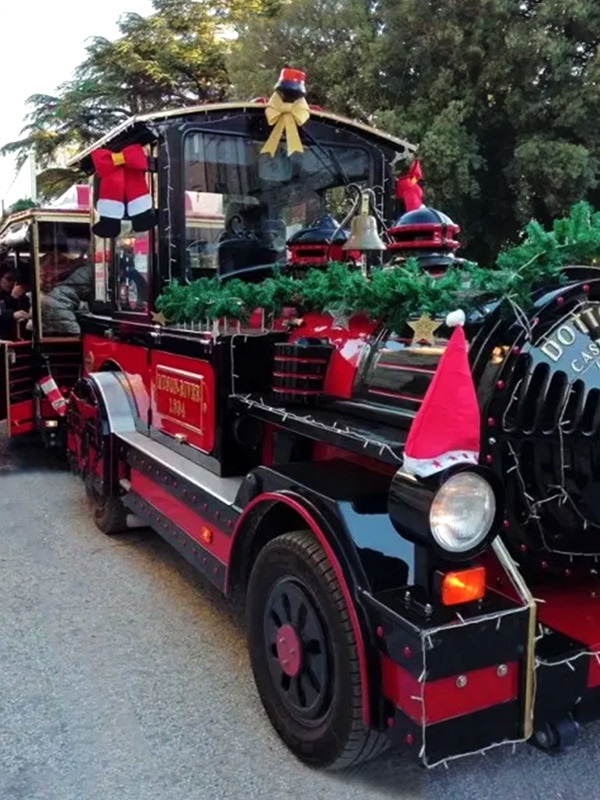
(446, 429)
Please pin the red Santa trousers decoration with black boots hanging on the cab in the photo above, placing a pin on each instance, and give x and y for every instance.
(122, 179)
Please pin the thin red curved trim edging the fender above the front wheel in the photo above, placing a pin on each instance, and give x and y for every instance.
(303, 512)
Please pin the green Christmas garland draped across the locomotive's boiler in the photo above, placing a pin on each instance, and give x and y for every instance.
(401, 291)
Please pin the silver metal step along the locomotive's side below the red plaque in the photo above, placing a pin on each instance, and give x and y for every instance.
(225, 489)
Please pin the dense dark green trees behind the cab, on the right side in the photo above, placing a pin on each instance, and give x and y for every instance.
(501, 96)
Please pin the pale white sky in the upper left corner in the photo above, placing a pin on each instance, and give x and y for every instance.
(42, 43)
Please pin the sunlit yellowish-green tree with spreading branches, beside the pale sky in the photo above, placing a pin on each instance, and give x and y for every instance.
(174, 57)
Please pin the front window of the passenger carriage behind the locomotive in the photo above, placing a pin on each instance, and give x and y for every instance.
(65, 276)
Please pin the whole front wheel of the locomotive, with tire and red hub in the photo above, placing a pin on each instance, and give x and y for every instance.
(304, 655)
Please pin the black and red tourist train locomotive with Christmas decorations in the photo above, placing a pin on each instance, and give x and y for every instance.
(444, 602)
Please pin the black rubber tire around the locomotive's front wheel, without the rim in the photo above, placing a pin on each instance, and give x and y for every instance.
(341, 740)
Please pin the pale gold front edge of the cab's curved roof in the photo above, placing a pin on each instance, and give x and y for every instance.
(189, 110)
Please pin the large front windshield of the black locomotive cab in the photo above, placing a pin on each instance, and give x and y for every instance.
(241, 207)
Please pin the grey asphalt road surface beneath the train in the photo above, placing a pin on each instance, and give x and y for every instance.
(124, 675)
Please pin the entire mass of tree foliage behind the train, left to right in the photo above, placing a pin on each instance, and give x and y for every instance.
(501, 96)
